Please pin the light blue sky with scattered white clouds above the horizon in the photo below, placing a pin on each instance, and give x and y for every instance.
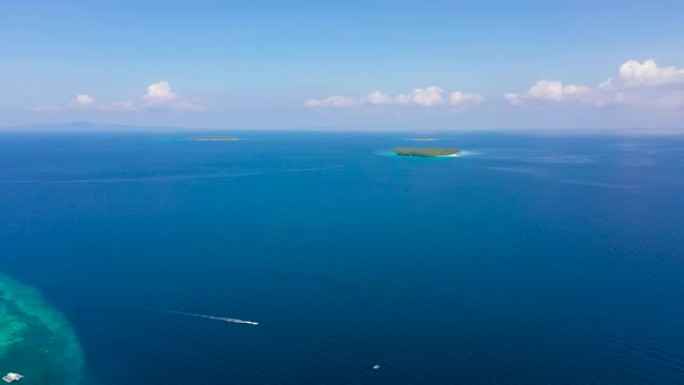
(372, 65)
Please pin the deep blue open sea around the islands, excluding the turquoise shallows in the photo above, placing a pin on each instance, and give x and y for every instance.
(530, 259)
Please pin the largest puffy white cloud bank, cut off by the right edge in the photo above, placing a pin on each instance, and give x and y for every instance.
(637, 84)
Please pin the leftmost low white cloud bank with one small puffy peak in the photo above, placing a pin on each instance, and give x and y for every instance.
(159, 96)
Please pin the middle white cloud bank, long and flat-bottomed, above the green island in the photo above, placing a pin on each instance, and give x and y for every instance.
(423, 97)
